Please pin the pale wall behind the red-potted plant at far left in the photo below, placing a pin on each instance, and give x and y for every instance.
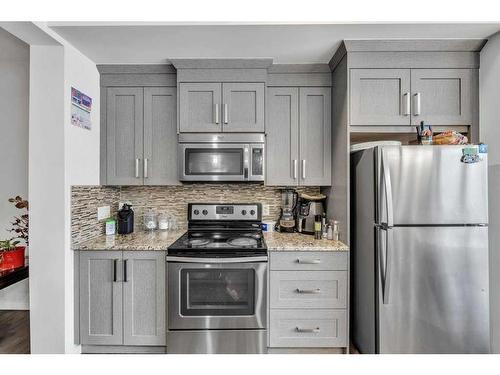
(14, 95)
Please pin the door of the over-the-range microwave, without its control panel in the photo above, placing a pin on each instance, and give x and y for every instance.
(214, 161)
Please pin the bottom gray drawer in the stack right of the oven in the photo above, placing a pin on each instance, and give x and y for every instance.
(308, 328)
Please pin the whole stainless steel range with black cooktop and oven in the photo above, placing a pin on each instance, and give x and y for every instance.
(217, 281)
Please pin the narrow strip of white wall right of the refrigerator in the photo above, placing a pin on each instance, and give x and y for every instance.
(489, 83)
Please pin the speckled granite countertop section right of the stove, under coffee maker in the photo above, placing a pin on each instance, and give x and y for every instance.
(300, 242)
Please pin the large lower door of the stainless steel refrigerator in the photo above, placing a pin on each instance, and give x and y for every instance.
(433, 290)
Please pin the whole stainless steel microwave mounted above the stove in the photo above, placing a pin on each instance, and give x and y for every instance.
(221, 157)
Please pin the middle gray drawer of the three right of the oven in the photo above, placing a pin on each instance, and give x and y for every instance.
(308, 289)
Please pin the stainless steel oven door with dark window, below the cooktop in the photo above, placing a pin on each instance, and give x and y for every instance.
(216, 295)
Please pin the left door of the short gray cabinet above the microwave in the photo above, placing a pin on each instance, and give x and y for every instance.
(200, 107)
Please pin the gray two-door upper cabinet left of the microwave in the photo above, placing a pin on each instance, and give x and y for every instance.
(141, 136)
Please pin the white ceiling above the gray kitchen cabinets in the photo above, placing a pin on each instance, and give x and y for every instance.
(145, 43)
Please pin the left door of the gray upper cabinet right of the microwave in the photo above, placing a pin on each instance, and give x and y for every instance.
(282, 140)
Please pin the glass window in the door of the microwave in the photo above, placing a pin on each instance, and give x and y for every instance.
(218, 161)
